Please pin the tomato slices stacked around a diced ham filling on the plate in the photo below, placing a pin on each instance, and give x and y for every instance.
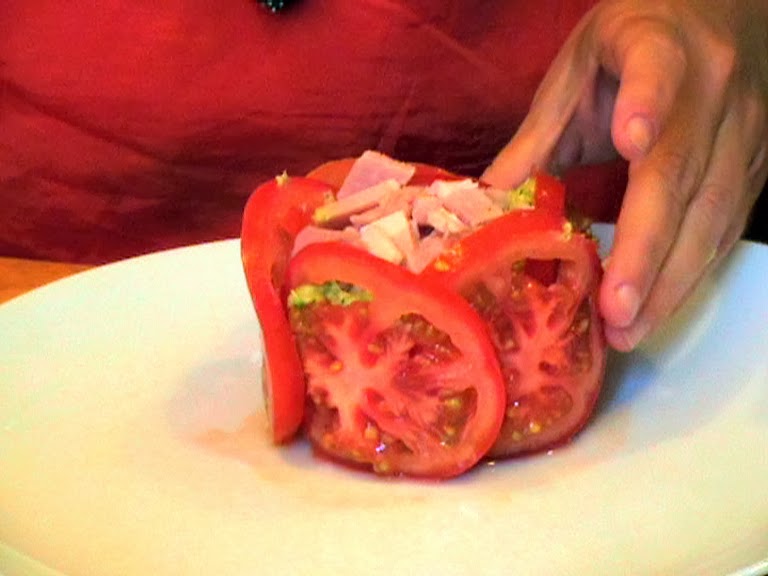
(415, 321)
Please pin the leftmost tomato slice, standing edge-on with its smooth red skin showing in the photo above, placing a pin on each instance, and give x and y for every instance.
(276, 211)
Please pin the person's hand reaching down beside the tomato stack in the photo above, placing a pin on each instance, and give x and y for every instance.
(680, 89)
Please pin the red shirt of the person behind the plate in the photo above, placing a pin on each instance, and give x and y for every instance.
(128, 127)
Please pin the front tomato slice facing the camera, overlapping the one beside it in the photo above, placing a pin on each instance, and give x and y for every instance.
(404, 383)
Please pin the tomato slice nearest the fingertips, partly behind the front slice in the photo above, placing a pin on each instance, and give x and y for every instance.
(545, 326)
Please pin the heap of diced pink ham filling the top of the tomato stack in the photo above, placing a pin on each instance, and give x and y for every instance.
(408, 225)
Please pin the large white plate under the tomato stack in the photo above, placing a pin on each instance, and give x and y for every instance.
(132, 441)
